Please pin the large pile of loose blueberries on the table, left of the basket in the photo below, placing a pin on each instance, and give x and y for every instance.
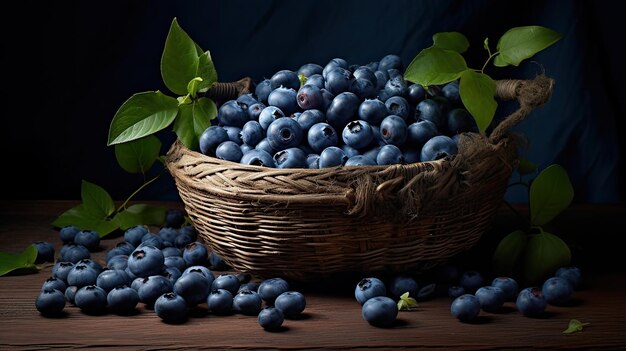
(168, 271)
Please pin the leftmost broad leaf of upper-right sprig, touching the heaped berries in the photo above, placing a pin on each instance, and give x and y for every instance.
(434, 66)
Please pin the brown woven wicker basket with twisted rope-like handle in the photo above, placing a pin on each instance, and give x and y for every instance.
(306, 223)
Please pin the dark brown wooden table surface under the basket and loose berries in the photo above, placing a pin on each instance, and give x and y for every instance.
(331, 321)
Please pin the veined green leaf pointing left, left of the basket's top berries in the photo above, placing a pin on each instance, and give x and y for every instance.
(142, 114)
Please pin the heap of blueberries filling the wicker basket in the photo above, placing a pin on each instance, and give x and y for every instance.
(339, 115)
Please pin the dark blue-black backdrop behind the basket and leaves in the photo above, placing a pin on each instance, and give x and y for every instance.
(95, 55)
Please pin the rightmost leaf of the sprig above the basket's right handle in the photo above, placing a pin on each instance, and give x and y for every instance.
(520, 43)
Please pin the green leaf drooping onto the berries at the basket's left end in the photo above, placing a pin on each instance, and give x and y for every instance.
(193, 120)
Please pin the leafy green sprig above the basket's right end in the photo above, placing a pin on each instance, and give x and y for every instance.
(443, 63)
